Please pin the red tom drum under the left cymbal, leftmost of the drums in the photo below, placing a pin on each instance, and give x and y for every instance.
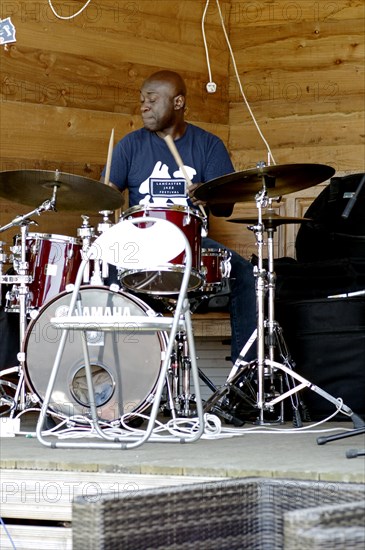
(53, 264)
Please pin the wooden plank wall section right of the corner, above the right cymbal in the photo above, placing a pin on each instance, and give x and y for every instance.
(301, 67)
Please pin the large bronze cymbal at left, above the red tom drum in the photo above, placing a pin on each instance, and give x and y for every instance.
(77, 193)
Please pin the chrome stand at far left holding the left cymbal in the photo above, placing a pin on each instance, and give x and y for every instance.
(22, 278)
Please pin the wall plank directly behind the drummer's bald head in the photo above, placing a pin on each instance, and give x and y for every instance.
(68, 80)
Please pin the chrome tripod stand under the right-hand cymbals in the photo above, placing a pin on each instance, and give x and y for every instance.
(268, 337)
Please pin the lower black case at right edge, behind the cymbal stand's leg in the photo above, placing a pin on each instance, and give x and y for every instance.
(326, 339)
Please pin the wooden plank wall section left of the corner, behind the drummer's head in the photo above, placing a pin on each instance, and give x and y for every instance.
(66, 84)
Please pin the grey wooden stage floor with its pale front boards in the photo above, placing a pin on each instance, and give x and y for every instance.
(39, 483)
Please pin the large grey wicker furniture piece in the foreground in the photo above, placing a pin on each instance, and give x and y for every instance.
(224, 515)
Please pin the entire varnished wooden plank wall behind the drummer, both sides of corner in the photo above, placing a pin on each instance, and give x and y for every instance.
(66, 84)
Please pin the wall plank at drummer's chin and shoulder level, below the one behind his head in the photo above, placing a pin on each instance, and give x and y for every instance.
(42, 132)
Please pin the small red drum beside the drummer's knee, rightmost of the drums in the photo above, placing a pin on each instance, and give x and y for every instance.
(214, 268)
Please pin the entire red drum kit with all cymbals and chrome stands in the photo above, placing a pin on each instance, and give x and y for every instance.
(44, 265)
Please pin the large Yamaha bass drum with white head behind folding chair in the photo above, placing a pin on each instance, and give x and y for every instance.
(125, 366)
